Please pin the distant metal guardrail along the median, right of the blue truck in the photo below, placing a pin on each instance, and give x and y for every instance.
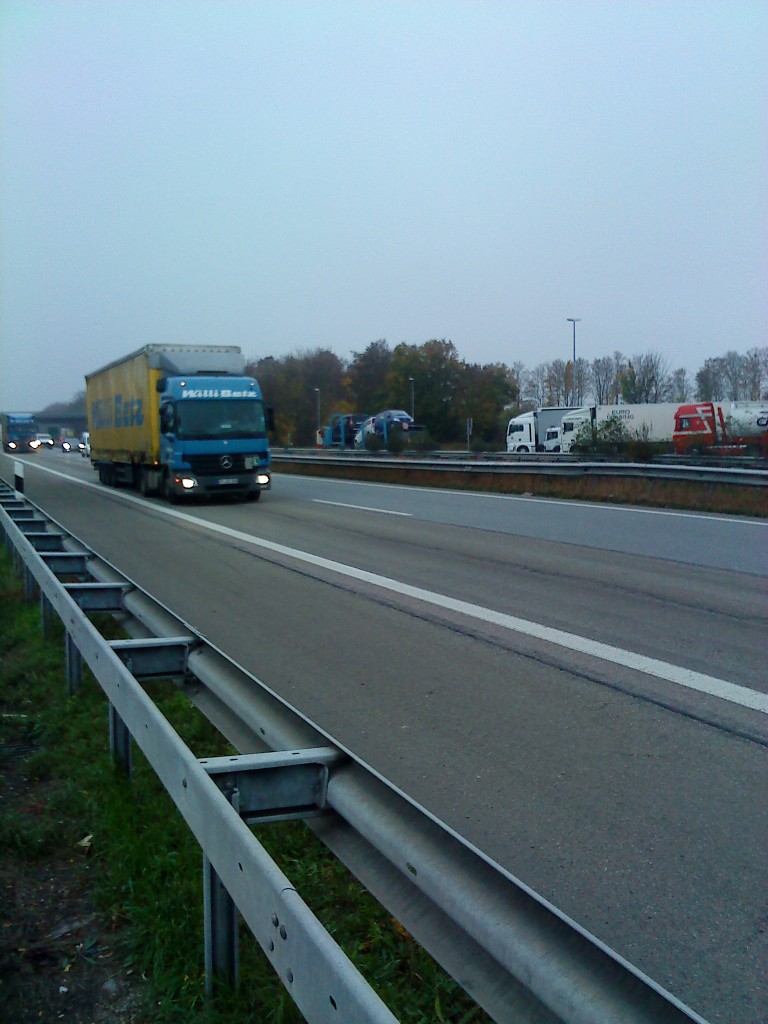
(552, 465)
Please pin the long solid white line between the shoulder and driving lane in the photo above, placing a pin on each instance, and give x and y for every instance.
(699, 681)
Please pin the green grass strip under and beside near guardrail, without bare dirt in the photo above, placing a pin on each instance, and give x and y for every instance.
(143, 866)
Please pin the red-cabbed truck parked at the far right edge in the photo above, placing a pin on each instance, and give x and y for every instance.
(722, 429)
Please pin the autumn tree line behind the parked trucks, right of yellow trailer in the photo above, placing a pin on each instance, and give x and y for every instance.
(443, 392)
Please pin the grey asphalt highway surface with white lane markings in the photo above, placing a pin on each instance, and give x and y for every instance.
(580, 691)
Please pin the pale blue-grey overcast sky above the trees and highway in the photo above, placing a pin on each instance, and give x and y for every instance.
(288, 176)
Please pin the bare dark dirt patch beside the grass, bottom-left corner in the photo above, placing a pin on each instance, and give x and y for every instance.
(59, 956)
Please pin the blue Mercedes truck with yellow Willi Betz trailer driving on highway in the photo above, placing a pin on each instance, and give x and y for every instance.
(180, 420)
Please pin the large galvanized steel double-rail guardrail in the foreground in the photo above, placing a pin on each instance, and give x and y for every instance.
(518, 956)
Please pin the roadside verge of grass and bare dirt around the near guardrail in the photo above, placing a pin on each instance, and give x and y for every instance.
(102, 919)
